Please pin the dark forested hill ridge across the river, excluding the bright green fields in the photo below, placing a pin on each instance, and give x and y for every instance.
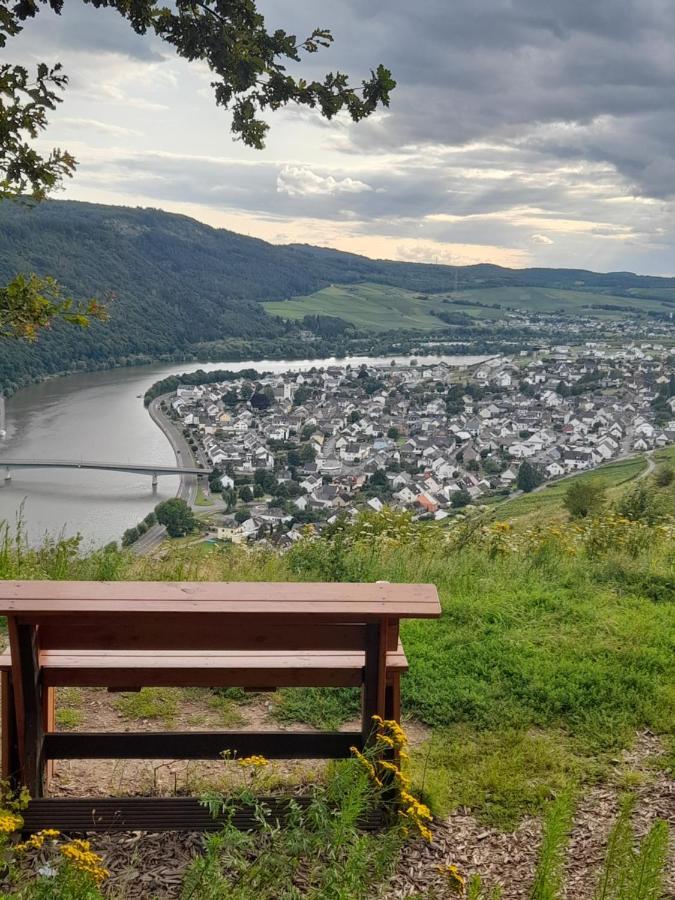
(177, 282)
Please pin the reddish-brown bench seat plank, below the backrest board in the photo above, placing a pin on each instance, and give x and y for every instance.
(233, 668)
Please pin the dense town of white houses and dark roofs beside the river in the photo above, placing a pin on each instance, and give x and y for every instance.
(294, 449)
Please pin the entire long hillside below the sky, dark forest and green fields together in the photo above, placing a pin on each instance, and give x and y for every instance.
(175, 285)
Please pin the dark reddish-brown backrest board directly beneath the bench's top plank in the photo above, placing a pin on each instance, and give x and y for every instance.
(210, 632)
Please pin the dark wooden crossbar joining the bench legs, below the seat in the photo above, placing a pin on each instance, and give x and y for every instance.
(200, 745)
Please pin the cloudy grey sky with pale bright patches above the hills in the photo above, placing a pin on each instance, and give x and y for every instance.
(522, 132)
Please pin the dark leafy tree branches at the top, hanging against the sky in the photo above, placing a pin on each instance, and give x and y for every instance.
(248, 61)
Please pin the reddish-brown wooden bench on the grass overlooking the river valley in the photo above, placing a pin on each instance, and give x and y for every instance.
(254, 635)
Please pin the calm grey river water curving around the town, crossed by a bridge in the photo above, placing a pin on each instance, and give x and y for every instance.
(100, 417)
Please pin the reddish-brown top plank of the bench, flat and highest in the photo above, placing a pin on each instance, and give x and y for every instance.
(351, 602)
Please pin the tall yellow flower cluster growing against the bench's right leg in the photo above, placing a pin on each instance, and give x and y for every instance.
(386, 775)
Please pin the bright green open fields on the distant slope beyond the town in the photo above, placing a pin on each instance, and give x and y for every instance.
(380, 307)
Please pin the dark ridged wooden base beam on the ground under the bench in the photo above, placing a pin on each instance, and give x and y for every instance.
(153, 814)
